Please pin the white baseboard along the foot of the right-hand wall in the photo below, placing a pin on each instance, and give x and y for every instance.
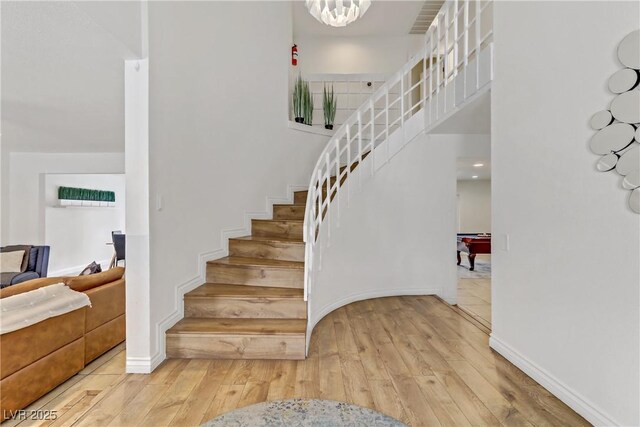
(573, 399)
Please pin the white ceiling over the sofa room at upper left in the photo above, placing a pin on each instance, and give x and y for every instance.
(62, 76)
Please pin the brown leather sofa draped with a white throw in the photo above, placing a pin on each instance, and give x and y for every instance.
(36, 359)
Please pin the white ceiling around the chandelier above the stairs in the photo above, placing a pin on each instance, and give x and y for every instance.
(384, 18)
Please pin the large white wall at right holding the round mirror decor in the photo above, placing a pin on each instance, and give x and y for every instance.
(566, 289)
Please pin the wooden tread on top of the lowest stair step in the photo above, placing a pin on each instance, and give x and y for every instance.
(213, 327)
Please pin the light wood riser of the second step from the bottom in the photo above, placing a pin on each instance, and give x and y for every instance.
(250, 308)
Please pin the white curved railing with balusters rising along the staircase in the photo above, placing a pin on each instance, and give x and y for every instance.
(450, 68)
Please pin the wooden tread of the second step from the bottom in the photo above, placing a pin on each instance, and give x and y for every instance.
(211, 290)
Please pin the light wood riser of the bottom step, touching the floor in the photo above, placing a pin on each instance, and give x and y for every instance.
(236, 346)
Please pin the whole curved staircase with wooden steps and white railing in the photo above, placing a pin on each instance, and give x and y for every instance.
(254, 303)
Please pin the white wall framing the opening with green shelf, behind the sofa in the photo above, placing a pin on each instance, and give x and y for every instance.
(23, 215)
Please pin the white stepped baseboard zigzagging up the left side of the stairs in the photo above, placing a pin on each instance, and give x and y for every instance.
(147, 365)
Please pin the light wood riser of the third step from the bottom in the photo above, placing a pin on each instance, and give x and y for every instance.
(255, 276)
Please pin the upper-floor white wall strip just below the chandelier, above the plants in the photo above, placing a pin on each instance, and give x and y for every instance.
(354, 55)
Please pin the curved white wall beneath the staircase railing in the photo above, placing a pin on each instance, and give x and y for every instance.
(397, 236)
